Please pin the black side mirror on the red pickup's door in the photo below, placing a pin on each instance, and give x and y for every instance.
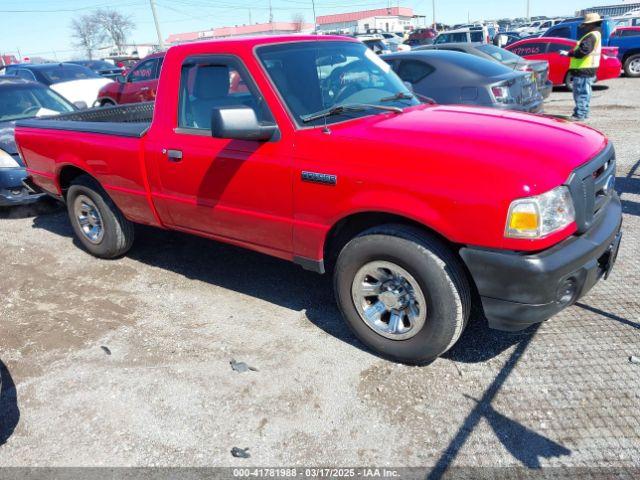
(240, 123)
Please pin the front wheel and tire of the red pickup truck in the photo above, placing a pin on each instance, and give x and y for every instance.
(432, 266)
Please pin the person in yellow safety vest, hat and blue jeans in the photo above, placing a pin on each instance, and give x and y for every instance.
(585, 60)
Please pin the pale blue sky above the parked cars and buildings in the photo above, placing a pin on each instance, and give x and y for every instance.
(41, 27)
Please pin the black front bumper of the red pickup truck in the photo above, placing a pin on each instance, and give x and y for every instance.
(519, 290)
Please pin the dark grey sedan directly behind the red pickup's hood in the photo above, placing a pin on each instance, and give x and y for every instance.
(450, 77)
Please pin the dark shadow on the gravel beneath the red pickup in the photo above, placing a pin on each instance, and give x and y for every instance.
(272, 280)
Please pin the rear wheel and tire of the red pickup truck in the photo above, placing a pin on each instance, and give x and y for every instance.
(115, 236)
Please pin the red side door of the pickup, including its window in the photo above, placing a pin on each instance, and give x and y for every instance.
(238, 190)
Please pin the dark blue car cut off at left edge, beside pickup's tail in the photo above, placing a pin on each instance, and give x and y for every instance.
(21, 99)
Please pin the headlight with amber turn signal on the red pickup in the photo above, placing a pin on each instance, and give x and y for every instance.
(539, 216)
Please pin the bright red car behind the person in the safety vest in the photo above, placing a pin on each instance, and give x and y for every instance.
(548, 49)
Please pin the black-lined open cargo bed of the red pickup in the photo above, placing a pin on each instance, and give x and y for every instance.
(130, 120)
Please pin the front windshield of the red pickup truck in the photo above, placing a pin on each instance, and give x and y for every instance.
(319, 75)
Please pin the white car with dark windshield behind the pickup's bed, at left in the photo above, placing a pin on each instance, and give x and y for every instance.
(76, 83)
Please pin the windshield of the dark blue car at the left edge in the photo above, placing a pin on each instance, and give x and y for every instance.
(25, 101)
